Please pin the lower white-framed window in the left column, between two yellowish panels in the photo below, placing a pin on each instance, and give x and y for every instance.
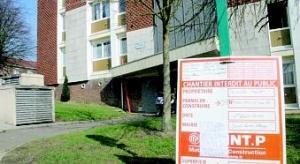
(101, 50)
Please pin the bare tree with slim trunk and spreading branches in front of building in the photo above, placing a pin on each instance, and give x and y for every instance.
(165, 11)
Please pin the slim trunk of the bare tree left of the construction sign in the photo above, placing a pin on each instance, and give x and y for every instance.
(166, 121)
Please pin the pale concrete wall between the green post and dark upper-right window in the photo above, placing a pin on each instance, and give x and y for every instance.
(246, 39)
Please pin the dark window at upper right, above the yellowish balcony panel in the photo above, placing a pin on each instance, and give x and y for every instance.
(277, 15)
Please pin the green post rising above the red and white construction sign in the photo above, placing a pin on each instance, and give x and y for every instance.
(223, 29)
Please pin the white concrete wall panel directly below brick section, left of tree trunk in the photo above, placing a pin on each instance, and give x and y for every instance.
(140, 43)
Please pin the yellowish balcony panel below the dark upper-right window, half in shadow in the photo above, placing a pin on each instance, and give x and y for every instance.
(280, 39)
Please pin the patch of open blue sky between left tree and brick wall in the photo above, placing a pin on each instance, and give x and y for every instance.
(29, 9)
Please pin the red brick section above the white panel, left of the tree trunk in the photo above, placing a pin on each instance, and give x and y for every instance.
(136, 15)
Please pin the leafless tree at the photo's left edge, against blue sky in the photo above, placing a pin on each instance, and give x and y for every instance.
(14, 35)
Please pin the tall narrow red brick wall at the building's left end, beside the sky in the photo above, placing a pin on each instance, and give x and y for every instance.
(46, 41)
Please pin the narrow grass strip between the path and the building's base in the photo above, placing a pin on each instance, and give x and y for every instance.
(83, 112)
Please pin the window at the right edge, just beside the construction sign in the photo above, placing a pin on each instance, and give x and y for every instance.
(289, 82)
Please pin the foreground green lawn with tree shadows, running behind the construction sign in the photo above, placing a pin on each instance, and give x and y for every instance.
(125, 143)
